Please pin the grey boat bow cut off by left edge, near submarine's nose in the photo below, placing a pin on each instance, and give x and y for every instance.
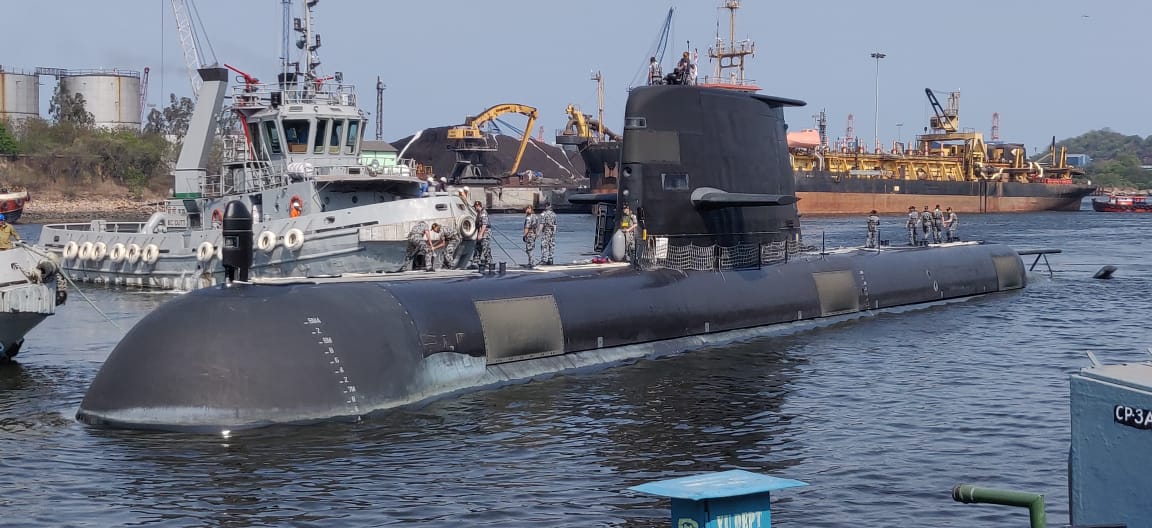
(29, 293)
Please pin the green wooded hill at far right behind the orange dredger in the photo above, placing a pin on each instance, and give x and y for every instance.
(1117, 159)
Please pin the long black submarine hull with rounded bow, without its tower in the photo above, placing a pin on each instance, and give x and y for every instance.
(317, 350)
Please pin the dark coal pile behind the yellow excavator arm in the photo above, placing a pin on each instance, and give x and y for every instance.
(556, 164)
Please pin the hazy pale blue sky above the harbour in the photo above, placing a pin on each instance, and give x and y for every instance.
(1049, 69)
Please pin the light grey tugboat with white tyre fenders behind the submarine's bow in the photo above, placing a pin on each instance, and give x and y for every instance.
(317, 210)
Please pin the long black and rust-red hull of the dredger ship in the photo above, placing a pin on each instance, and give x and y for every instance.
(823, 193)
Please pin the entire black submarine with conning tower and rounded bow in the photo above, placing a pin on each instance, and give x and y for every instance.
(719, 254)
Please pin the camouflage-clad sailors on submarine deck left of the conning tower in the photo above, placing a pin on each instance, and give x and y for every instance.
(437, 244)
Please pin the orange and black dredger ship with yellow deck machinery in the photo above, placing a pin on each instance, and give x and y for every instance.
(944, 167)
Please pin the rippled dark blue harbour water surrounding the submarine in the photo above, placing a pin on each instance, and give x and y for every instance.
(881, 416)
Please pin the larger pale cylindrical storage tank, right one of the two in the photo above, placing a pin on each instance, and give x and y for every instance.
(111, 96)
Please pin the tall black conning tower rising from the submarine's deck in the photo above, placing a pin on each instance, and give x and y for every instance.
(709, 168)
